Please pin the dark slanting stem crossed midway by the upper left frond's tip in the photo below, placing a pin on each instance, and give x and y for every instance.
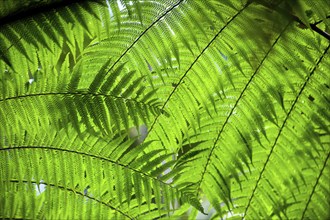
(193, 63)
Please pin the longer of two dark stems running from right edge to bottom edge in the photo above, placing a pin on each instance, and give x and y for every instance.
(281, 129)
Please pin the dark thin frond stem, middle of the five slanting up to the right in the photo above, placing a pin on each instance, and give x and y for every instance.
(236, 104)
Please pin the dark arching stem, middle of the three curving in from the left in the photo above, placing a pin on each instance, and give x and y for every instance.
(89, 155)
